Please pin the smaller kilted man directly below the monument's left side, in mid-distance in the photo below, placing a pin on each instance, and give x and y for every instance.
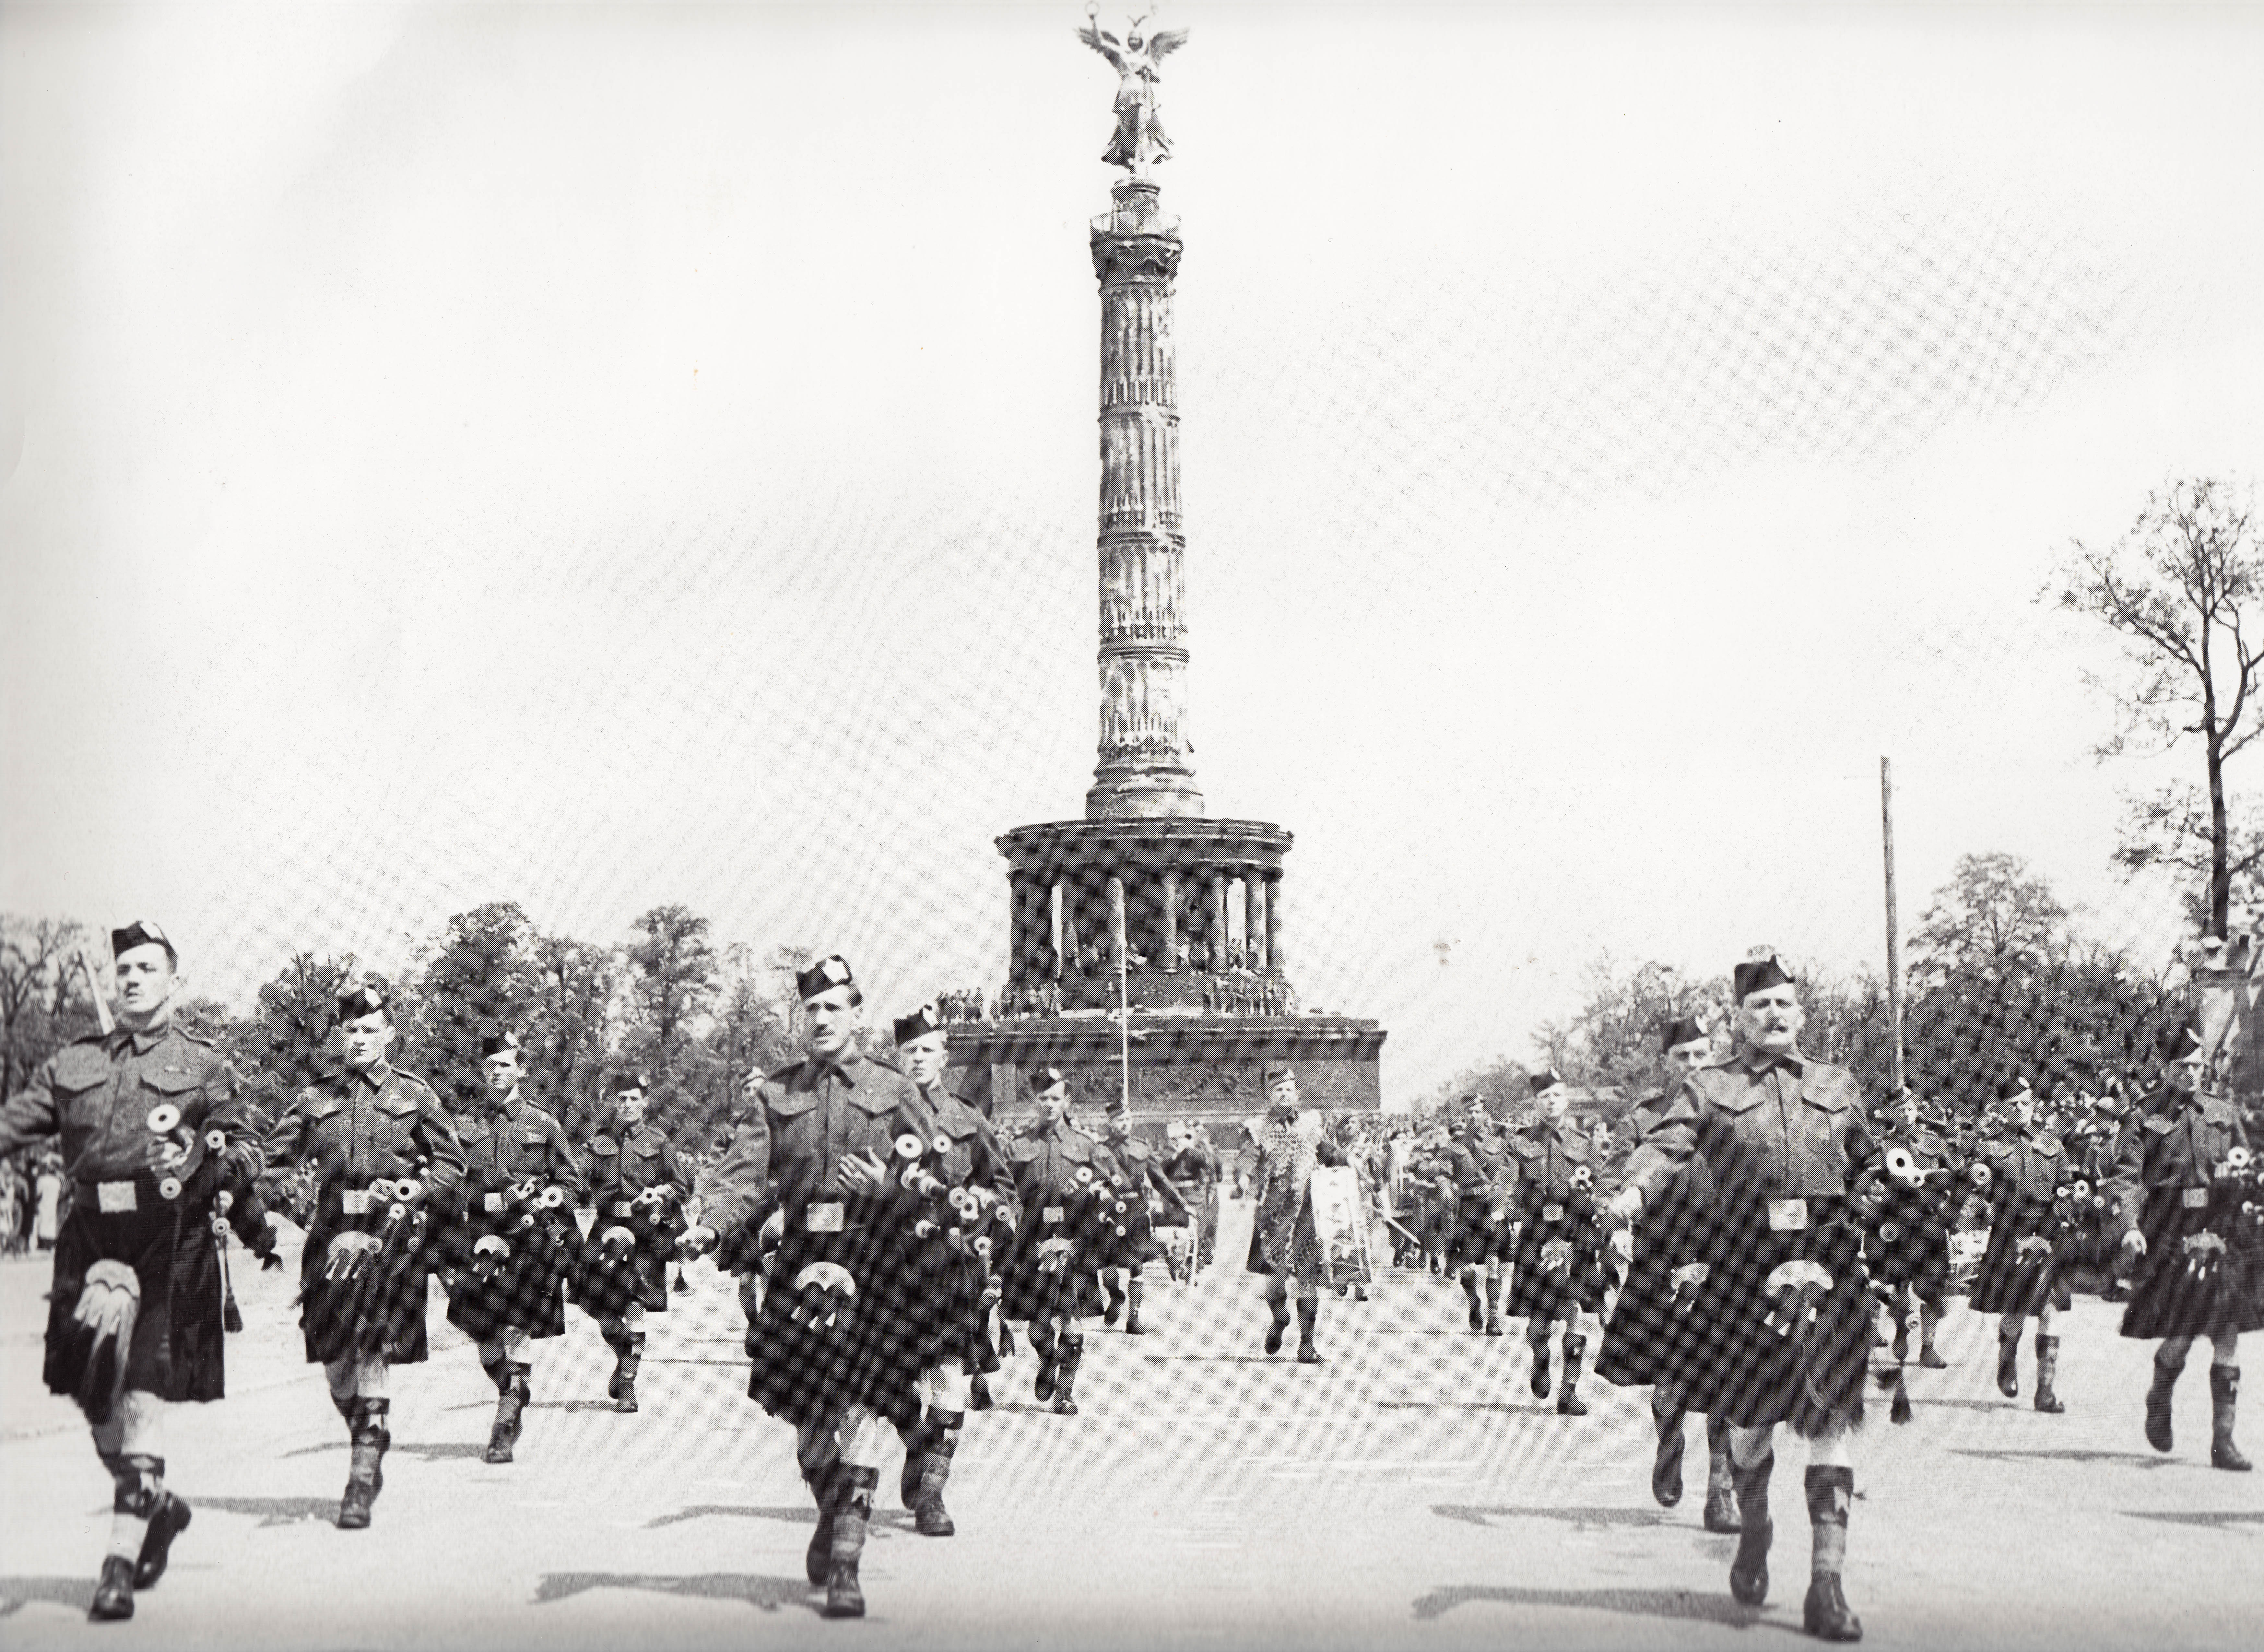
(1054, 1178)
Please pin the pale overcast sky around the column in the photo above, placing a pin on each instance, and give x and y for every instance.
(606, 456)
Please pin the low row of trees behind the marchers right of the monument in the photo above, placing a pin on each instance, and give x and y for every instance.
(1998, 981)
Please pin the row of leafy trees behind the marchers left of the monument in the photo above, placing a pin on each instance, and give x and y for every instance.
(671, 1004)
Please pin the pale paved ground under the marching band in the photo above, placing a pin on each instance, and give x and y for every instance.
(1409, 1492)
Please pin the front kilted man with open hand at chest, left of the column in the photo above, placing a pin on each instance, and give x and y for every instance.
(830, 1352)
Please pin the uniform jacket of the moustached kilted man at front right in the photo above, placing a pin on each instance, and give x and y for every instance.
(1769, 1128)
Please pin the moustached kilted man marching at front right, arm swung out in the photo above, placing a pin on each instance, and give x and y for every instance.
(1787, 1323)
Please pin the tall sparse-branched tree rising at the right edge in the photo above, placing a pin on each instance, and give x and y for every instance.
(2181, 590)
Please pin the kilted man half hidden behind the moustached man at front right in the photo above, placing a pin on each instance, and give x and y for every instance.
(1661, 1309)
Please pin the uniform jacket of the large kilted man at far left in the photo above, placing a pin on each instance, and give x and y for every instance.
(98, 1092)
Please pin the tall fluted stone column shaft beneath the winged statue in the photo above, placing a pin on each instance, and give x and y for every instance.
(1144, 743)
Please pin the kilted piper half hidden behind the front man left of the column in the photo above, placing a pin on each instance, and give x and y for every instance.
(950, 1275)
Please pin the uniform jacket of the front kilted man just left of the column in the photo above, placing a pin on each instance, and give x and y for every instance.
(805, 1121)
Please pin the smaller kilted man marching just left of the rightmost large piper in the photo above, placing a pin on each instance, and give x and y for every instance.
(2021, 1271)
